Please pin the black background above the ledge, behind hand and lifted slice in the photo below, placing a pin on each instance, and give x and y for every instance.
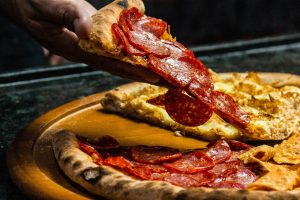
(193, 22)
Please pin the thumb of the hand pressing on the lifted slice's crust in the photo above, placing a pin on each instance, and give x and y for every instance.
(75, 15)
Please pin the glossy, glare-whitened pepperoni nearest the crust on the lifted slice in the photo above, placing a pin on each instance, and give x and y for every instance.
(149, 43)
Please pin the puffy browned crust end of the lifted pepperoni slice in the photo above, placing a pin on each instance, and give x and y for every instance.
(101, 41)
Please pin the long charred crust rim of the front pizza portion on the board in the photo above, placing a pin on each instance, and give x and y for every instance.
(112, 184)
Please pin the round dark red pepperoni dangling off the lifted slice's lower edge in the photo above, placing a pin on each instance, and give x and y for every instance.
(186, 110)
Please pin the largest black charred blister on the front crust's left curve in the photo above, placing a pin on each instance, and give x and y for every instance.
(94, 175)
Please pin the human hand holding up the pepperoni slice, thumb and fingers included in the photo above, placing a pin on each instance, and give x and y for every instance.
(58, 25)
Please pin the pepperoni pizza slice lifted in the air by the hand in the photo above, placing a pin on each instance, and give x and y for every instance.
(122, 31)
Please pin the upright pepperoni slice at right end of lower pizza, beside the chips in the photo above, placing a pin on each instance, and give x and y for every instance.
(219, 152)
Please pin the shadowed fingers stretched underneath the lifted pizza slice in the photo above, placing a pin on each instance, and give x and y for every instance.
(65, 43)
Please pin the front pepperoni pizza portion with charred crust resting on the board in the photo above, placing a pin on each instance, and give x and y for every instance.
(106, 168)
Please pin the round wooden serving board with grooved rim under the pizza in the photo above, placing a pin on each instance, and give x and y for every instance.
(30, 158)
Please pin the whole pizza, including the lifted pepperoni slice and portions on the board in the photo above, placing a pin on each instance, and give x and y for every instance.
(224, 109)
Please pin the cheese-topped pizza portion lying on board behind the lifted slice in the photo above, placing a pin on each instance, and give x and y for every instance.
(271, 100)
